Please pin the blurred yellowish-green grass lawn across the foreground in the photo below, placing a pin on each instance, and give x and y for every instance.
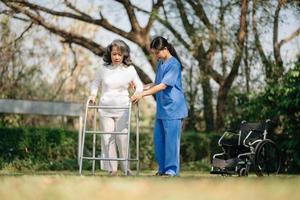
(190, 185)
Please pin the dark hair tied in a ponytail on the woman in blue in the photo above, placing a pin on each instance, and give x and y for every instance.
(159, 43)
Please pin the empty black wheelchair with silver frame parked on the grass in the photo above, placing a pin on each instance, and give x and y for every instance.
(247, 149)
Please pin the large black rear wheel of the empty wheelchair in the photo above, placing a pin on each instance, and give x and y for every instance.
(267, 158)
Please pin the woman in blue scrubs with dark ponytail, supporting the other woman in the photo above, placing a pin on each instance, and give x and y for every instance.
(171, 107)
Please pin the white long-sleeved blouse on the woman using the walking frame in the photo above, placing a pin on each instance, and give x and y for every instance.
(114, 81)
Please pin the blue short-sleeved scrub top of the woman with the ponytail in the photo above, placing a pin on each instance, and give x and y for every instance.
(170, 102)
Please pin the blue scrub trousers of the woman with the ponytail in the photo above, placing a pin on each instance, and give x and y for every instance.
(167, 145)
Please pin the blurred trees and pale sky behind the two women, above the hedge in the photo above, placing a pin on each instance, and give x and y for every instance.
(241, 57)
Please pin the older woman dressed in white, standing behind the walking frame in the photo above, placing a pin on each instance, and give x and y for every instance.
(114, 77)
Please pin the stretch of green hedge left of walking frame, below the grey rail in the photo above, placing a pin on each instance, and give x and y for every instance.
(37, 149)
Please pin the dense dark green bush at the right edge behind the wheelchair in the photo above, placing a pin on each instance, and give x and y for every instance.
(279, 101)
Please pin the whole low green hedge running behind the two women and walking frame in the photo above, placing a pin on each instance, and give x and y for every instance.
(56, 149)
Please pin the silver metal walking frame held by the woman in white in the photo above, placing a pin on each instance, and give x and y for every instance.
(95, 132)
